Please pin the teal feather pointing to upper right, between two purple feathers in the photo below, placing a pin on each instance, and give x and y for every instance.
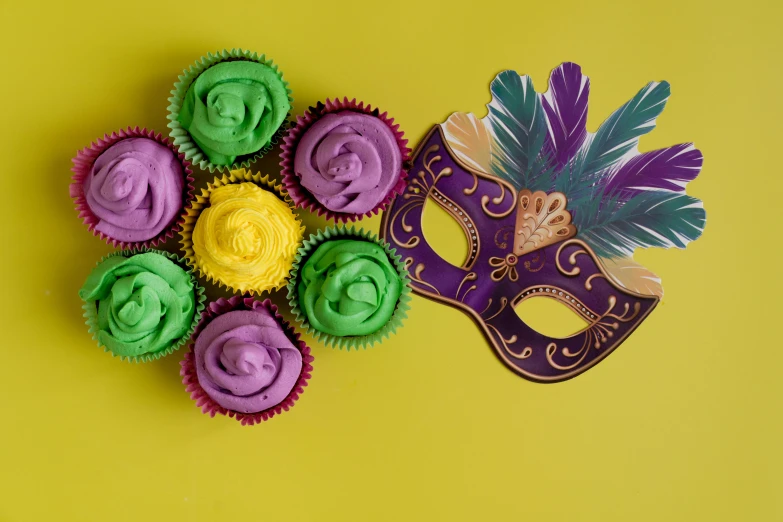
(619, 134)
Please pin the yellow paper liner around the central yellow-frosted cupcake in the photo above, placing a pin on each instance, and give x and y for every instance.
(201, 201)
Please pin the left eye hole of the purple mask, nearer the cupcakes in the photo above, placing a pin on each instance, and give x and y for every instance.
(444, 233)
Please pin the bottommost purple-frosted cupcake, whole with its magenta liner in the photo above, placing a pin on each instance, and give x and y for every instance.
(246, 361)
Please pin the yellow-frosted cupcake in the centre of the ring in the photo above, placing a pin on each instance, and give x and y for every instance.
(242, 233)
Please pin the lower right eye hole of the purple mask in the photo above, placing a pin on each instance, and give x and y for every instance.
(550, 317)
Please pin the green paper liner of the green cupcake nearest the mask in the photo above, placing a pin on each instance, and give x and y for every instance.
(348, 342)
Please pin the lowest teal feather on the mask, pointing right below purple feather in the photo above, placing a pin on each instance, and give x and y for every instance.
(650, 219)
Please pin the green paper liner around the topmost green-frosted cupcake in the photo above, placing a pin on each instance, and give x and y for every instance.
(182, 137)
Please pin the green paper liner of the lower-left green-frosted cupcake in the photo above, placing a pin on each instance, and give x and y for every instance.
(91, 311)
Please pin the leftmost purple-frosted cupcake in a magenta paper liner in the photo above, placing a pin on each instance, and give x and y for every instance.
(130, 188)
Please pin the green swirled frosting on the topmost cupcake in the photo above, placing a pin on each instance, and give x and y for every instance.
(233, 109)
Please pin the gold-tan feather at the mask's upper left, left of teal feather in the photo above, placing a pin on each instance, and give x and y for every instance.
(470, 140)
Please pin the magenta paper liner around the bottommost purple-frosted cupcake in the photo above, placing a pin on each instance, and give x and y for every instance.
(204, 401)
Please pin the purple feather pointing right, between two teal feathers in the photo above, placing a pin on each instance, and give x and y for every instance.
(668, 169)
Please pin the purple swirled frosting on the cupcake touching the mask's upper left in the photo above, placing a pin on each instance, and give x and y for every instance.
(348, 161)
